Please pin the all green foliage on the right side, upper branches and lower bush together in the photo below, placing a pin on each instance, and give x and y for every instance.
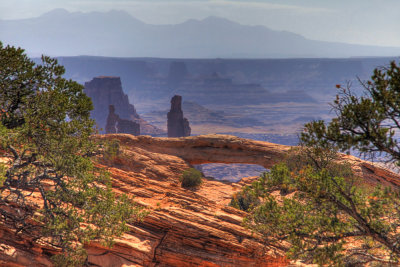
(314, 202)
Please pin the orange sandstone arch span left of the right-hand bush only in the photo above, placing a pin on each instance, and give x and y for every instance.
(211, 149)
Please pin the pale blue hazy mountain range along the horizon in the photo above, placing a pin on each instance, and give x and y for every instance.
(118, 34)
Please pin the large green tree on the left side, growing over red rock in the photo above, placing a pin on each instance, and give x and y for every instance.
(45, 133)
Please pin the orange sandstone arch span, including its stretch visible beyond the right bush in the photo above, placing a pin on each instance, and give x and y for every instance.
(229, 149)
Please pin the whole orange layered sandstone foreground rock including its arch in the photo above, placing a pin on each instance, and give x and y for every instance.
(185, 227)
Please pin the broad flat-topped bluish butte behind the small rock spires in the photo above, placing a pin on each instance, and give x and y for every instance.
(107, 90)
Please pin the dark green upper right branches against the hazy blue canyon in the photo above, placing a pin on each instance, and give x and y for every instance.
(368, 123)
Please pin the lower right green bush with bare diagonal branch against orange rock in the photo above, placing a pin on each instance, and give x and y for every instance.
(319, 210)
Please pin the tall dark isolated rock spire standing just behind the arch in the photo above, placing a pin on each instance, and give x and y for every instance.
(178, 126)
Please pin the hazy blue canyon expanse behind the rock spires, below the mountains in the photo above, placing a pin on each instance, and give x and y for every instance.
(273, 96)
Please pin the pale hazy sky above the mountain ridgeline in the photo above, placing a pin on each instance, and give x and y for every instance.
(375, 22)
